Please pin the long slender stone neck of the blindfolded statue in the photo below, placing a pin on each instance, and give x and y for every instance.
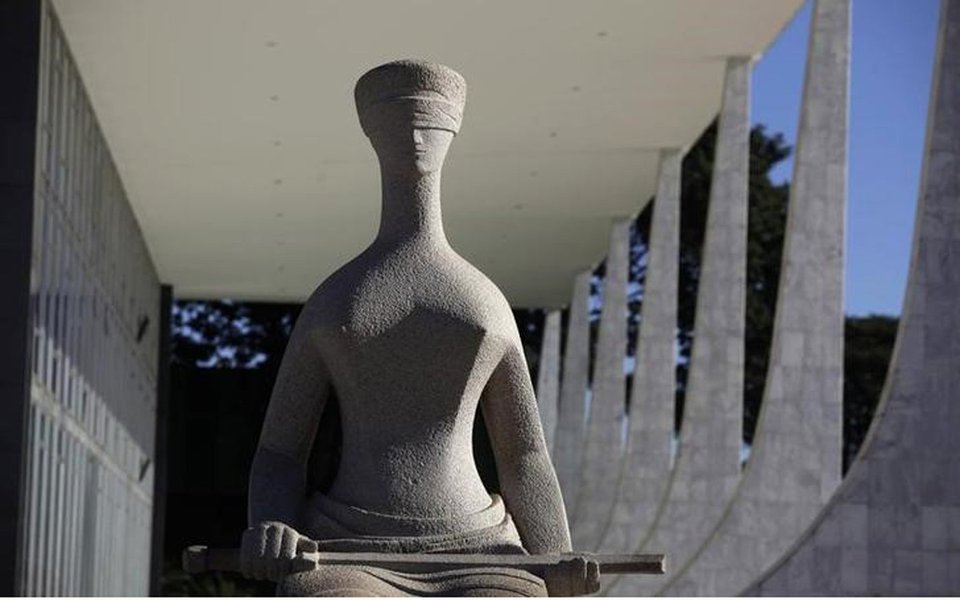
(411, 208)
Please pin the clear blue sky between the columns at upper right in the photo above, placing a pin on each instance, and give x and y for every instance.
(892, 60)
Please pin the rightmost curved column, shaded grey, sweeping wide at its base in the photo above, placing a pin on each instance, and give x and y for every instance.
(893, 529)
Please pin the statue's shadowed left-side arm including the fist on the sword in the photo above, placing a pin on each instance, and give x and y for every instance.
(279, 472)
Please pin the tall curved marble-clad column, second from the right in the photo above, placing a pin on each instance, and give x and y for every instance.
(795, 464)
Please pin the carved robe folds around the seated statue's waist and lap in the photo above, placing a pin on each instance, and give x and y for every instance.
(342, 528)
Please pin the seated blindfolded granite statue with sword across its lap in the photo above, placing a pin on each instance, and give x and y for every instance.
(413, 338)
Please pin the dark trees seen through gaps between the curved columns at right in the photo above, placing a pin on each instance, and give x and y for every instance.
(869, 340)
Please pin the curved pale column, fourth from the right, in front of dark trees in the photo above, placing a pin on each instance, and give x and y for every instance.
(646, 468)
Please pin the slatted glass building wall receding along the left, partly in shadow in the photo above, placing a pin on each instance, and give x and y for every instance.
(93, 355)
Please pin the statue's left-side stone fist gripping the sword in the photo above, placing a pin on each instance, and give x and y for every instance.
(268, 550)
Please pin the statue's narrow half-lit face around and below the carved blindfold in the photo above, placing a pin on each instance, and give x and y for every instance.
(402, 146)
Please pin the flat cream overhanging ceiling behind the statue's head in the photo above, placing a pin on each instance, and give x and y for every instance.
(233, 126)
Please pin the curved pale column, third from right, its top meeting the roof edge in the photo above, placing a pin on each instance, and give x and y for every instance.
(708, 464)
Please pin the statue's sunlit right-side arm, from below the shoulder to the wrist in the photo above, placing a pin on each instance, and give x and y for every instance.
(528, 482)
